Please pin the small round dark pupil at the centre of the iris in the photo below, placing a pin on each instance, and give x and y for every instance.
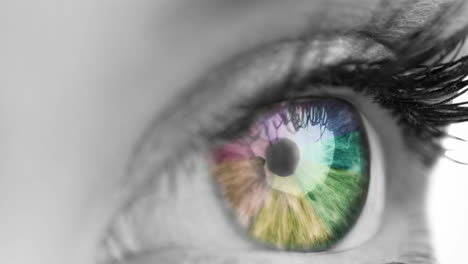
(282, 157)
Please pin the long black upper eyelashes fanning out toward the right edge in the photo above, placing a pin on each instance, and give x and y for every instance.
(419, 94)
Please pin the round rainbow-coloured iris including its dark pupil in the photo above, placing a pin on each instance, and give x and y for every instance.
(298, 178)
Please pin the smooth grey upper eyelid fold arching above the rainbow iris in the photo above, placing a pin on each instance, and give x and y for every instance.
(259, 72)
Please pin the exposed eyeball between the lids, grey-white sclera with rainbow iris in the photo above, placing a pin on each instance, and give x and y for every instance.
(329, 197)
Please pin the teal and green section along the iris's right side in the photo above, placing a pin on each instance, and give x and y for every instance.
(339, 199)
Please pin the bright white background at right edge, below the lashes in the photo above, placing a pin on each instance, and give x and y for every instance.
(448, 201)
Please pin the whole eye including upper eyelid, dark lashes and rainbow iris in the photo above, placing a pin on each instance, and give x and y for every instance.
(279, 155)
